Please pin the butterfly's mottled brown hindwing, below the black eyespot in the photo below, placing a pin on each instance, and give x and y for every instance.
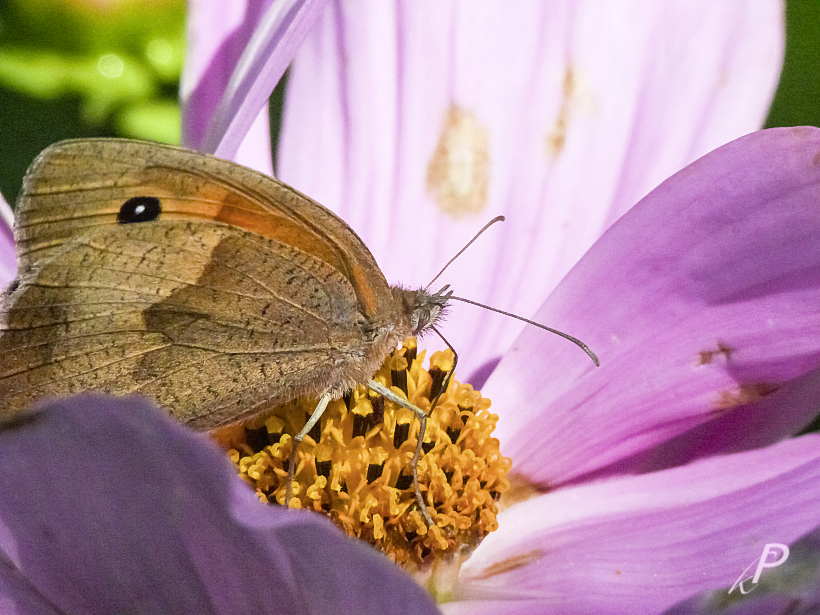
(199, 322)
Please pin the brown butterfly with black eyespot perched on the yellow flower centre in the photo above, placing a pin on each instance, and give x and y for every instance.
(215, 290)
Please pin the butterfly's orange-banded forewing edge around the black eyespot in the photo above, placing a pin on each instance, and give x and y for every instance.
(81, 184)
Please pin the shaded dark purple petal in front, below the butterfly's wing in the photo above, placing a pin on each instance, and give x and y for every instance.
(109, 506)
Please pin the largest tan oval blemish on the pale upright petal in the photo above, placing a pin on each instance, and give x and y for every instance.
(458, 173)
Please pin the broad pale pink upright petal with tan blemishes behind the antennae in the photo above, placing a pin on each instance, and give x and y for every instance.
(438, 116)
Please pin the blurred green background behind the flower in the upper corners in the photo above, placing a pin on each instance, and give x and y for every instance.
(82, 68)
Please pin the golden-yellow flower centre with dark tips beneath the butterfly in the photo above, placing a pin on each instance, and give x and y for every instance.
(355, 465)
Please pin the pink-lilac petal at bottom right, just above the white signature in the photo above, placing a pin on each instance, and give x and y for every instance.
(639, 544)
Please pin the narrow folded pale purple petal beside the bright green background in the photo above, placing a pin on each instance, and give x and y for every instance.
(267, 37)
